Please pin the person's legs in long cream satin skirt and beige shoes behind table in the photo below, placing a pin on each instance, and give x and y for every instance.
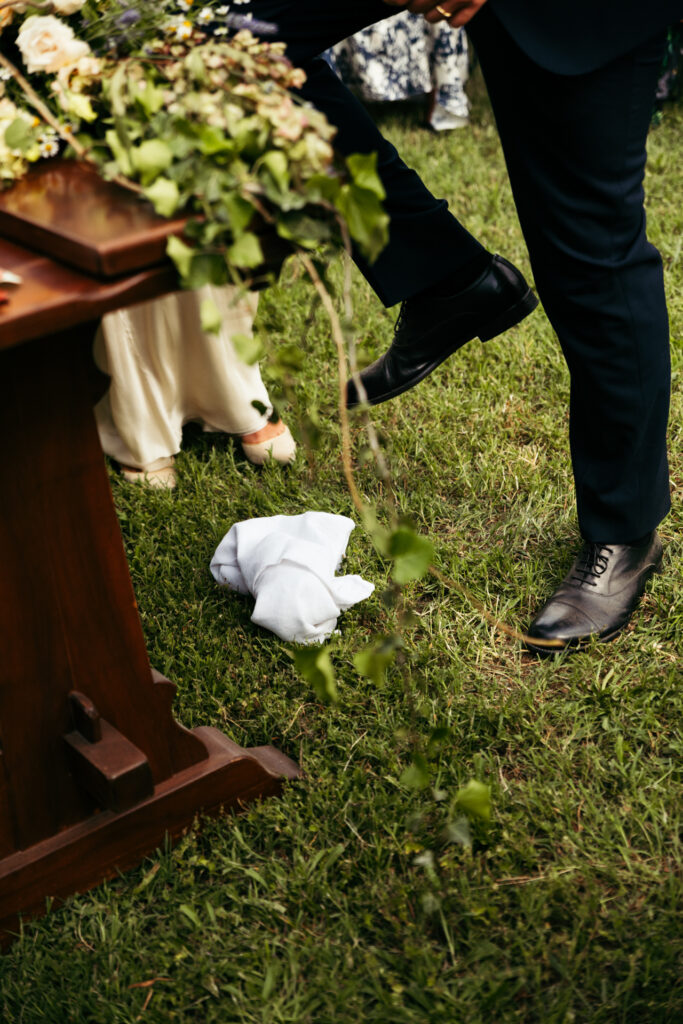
(166, 372)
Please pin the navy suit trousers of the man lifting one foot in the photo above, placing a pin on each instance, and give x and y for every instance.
(575, 148)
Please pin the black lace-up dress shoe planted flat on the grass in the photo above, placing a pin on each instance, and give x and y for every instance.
(597, 596)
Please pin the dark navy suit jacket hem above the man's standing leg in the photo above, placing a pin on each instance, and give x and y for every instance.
(576, 36)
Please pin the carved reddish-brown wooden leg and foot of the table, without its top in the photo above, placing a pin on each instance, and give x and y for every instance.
(95, 772)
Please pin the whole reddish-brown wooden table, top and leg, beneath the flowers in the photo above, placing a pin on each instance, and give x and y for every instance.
(95, 771)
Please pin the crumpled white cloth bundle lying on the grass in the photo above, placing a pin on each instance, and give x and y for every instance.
(288, 564)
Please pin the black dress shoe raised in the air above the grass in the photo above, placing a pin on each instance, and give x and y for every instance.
(431, 328)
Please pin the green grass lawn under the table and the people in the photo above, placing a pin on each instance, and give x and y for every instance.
(352, 899)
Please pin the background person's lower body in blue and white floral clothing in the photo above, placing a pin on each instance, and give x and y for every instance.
(405, 58)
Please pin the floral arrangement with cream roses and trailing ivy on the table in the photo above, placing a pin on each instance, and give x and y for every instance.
(192, 108)
